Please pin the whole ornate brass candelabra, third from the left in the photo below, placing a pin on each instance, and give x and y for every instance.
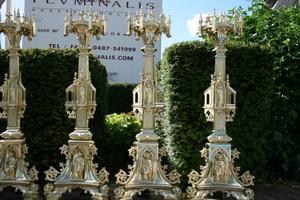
(147, 173)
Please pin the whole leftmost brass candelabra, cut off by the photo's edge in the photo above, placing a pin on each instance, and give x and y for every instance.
(13, 150)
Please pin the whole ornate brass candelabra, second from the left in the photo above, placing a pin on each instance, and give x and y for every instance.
(79, 171)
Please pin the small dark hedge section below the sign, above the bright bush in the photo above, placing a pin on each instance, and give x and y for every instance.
(119, 97)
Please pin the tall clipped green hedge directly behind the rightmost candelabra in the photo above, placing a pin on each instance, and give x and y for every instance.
(186, 69)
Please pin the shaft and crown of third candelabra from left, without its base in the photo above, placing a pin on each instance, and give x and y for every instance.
(149, 30)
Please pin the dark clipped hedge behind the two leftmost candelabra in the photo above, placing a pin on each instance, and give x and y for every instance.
(45, 75)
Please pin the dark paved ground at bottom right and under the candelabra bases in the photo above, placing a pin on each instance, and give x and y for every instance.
(278, 191)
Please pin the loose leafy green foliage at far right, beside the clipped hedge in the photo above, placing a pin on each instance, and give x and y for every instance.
(280, 30)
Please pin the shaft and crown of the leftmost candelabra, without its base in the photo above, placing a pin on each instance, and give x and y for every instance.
(12, 91)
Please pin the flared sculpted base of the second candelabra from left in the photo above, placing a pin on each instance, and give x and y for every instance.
(78, 172)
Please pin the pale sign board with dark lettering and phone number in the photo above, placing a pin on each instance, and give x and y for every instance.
(118, 52)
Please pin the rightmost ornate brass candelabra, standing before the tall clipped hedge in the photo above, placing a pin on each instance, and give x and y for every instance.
(219, 173)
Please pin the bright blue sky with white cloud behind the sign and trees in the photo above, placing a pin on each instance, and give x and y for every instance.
(184, 15)
